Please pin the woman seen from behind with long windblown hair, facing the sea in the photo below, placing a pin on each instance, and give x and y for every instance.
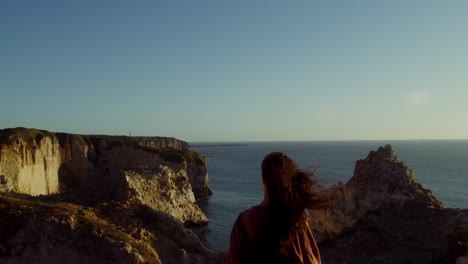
(277, 231)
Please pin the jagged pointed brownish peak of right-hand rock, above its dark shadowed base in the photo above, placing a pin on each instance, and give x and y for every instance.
(381, 181)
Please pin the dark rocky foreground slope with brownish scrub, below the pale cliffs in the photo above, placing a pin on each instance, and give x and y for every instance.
(65, 228)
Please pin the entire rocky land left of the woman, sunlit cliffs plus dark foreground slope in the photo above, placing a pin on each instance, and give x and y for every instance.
(68, 198)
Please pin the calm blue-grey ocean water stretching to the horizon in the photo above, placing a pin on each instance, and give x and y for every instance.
(235, 178)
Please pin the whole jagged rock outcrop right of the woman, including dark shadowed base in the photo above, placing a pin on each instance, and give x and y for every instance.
(382, 215)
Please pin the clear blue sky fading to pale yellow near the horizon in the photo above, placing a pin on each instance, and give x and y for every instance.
(237, 70)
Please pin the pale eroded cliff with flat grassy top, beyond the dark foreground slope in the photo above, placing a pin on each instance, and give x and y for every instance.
(38, 162)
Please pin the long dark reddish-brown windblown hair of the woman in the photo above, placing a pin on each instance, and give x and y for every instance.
(291, 191)
